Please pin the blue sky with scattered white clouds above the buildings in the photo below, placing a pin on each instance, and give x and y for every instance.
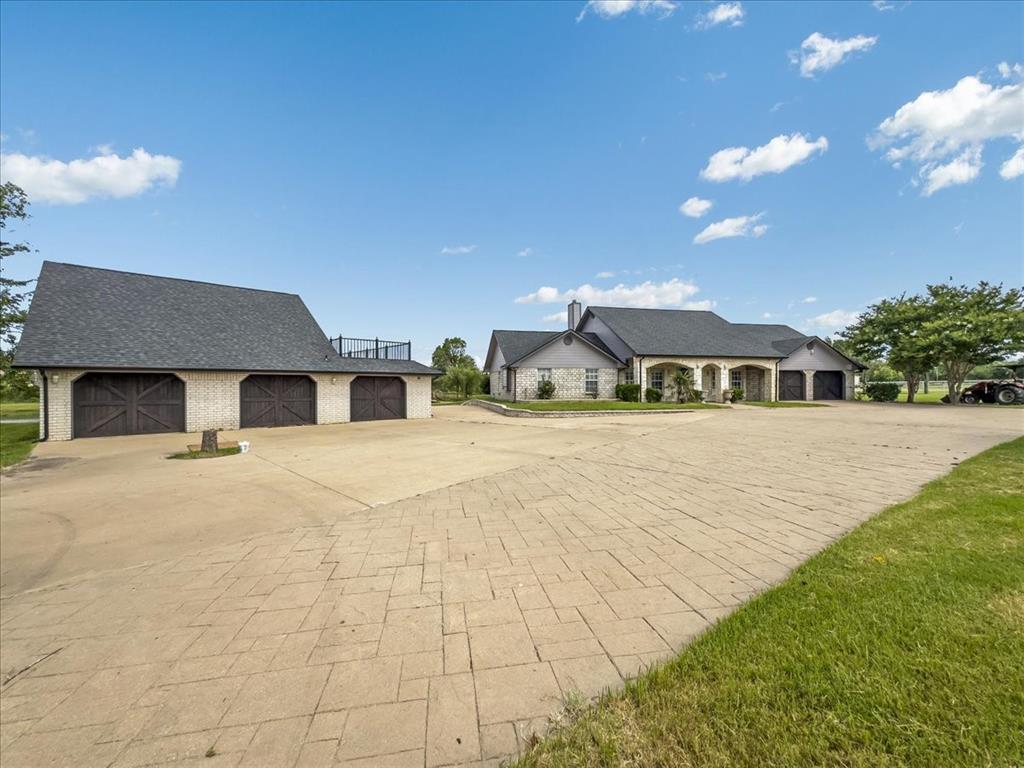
(413, 169)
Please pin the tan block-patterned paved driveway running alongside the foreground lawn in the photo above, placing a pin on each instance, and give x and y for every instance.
(446, 628)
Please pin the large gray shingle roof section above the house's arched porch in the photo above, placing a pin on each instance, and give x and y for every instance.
(684, 332)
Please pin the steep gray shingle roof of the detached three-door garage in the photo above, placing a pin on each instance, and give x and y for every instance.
(84, 317)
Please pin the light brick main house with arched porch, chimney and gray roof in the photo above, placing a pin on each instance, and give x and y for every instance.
(606, 347)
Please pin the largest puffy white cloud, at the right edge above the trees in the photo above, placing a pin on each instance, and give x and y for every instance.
(945, 133)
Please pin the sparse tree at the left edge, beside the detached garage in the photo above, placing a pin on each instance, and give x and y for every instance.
(14, 207)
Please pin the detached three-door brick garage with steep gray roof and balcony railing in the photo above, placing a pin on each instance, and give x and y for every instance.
(125, 354)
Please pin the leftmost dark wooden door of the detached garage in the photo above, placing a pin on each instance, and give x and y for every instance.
(129, 404)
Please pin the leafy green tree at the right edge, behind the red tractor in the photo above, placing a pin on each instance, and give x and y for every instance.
(969, 327)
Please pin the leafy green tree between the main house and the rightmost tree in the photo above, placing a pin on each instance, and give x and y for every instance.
(893, 329)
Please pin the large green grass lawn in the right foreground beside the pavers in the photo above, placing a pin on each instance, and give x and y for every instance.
(902, 645)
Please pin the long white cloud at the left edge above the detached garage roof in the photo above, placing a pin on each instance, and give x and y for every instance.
(106, 176)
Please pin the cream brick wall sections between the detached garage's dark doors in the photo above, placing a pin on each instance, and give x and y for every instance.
(214, 400)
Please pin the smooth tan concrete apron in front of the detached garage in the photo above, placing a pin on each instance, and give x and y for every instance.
(89, 506)
